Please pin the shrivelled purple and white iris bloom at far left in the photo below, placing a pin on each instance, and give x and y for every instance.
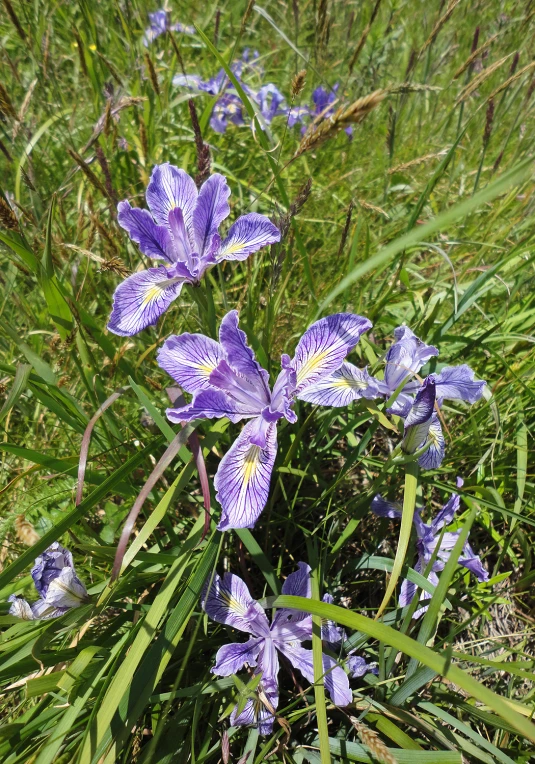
(57, 585)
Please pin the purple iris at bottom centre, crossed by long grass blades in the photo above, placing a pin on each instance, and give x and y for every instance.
(228, 601)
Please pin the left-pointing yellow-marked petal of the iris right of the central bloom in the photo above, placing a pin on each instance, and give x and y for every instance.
(345, 385)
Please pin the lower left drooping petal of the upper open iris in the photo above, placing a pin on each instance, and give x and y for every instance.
(141, 299)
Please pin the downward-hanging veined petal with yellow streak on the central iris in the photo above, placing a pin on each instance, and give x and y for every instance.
(243, 478)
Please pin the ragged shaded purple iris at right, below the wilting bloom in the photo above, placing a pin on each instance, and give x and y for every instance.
(430, 536)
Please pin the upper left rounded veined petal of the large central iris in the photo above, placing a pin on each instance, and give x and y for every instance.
(190, 359)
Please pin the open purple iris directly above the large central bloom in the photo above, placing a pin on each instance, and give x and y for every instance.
(182, 229)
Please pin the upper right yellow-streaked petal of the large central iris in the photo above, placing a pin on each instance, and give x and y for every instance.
(324, 346)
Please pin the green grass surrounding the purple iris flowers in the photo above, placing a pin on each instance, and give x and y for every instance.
(441, 237)
